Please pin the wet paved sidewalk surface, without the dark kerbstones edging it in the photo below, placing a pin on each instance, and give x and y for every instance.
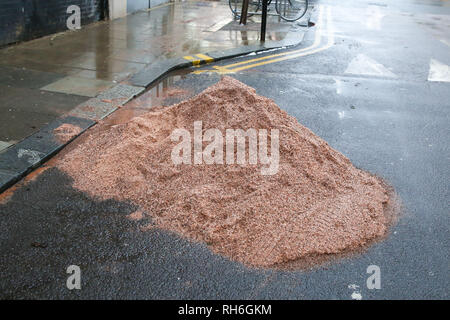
(43, 79)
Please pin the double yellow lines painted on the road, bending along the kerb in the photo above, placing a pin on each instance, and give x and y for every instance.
(314, 48)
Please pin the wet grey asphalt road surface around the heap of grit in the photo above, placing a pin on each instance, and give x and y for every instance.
(394, 124)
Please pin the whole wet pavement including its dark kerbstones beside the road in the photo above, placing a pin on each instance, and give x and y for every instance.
(81, 77)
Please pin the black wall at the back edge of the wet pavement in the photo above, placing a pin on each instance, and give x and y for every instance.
(22, 20)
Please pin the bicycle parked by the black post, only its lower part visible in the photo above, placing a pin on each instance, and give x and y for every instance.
(288, 10)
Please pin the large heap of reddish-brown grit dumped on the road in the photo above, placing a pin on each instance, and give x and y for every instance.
(318, 203)
